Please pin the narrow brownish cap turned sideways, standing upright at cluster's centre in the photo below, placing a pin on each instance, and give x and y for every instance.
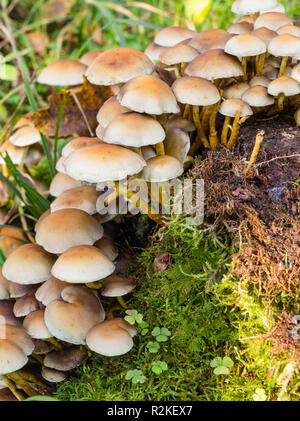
(177, 144)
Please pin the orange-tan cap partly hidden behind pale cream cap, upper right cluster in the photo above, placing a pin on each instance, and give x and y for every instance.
(210, 39)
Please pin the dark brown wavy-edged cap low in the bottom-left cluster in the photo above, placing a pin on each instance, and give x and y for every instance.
(66, 359)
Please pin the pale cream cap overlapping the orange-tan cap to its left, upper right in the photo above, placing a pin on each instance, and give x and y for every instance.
(245, 45)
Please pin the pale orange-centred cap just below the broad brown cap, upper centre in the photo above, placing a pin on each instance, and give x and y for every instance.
(195, 91)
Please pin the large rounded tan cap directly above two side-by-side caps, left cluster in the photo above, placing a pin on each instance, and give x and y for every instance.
(67, 228)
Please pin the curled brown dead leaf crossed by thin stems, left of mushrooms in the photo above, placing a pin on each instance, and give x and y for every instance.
(90, 97)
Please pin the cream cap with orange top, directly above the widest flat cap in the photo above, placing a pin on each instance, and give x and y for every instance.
(135, 130)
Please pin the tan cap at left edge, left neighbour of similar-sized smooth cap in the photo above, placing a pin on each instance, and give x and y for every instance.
(28, 264)
